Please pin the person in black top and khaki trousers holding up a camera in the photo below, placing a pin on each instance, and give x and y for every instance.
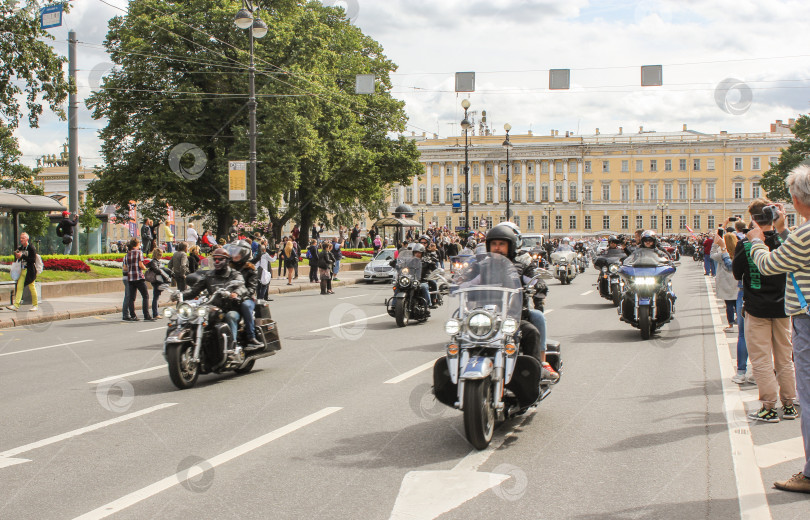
(767, 327)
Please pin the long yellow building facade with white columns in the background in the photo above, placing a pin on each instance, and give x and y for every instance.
(595, 184)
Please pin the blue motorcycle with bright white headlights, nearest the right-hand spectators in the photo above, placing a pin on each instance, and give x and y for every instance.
(648, 302)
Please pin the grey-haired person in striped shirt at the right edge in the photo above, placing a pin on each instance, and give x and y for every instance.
(793, 258)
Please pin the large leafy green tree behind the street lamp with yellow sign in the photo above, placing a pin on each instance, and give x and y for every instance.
(322, 150)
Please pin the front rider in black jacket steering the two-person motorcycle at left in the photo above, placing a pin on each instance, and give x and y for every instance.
(222, 276)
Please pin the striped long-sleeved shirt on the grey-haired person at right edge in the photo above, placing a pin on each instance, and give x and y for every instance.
(792, 257)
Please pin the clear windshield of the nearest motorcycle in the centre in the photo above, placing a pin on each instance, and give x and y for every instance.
(487, 282)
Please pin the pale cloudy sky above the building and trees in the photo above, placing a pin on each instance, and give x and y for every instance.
(733, 65)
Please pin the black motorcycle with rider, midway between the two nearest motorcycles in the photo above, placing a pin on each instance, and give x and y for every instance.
(408, 302)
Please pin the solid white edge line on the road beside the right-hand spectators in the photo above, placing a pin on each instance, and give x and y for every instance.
(750, 488)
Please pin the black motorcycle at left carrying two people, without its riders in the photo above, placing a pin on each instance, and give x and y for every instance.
(199, 341)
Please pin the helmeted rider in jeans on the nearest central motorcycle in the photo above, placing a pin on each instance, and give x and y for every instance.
(503, 240)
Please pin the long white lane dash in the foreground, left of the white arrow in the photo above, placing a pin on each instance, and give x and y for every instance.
(180, 477)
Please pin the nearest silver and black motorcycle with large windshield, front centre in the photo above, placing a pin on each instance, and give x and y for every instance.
(485, 373)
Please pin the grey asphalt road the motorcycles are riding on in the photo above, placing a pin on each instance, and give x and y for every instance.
(341, 423)
